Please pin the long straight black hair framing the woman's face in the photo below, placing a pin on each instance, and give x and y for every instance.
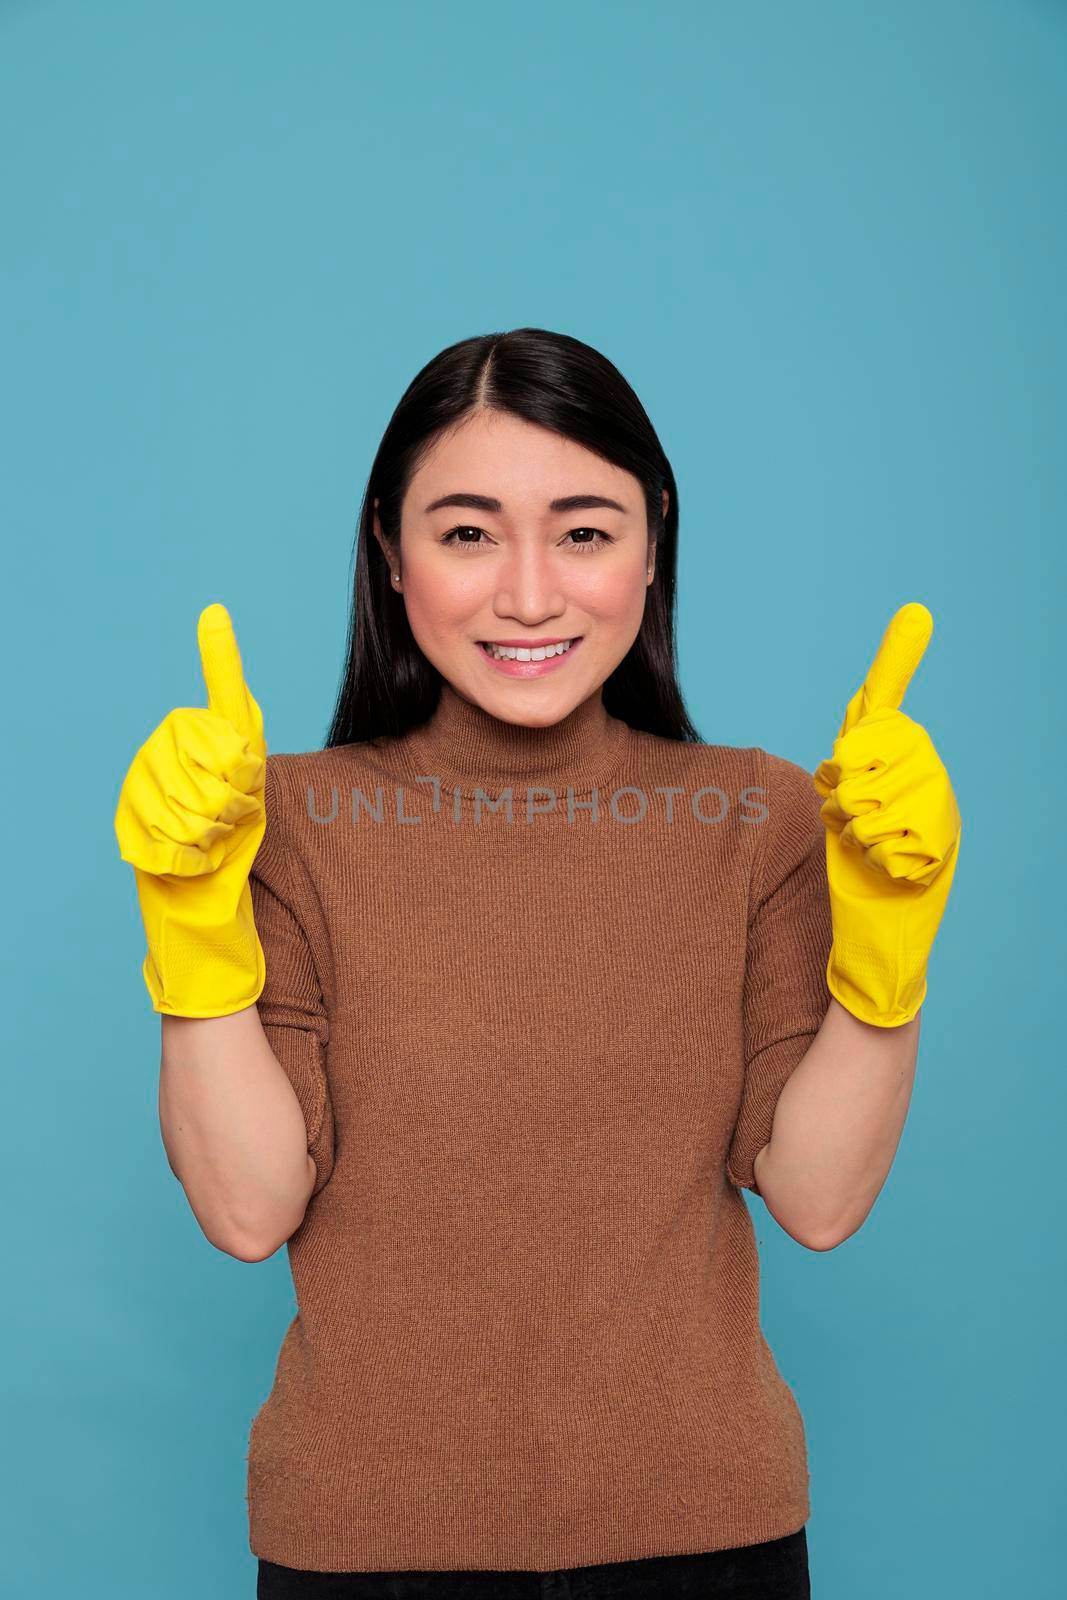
(575, 391)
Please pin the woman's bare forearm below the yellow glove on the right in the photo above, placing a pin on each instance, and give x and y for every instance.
(837, 1127)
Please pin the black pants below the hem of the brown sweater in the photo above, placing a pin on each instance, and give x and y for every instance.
(777, 1570)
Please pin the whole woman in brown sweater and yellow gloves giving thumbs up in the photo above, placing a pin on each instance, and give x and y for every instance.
(487, 1007)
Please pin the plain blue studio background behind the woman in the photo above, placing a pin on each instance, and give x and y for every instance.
(828, 246)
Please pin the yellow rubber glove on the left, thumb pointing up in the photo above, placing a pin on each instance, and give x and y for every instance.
(191, 817)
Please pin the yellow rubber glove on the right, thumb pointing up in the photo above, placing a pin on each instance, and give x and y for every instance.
(892, 838)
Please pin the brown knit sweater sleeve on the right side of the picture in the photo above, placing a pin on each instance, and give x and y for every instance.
(786, 994)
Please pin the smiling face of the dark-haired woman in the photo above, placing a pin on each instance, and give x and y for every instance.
(500, 564)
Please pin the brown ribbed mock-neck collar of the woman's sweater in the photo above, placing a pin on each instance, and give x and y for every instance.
(468, 748)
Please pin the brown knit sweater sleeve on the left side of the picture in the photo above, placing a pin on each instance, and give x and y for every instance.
(292, 1007)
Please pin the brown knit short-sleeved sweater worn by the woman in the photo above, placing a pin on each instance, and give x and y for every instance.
(538, 1055)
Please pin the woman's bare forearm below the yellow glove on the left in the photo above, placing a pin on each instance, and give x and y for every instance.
(234, 1132)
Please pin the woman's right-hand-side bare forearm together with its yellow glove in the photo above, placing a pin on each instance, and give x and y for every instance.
(892, 842)
